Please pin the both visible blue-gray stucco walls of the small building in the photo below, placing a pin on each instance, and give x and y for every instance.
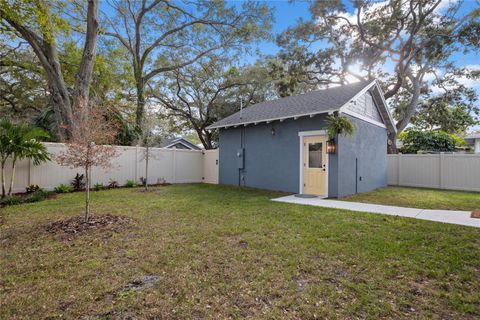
(273, 161)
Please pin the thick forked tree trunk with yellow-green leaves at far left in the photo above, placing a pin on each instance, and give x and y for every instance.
(38, 22)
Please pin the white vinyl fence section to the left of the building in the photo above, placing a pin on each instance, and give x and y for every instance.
(169, 165)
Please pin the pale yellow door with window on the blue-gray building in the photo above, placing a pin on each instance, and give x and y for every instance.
(315, 165)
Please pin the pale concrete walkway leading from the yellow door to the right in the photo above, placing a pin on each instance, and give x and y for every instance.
(446, 216)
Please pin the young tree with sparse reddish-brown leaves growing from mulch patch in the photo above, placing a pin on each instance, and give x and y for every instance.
(89, 146)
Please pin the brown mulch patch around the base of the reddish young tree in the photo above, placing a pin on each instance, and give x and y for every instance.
(77, 225)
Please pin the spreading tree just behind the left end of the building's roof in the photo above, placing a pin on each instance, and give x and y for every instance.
(199, 95)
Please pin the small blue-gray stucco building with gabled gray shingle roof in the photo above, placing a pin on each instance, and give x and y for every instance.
(282, 144)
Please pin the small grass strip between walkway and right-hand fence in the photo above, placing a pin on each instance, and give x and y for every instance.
(420, 198)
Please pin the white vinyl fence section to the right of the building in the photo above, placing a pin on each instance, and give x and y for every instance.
(441, 171)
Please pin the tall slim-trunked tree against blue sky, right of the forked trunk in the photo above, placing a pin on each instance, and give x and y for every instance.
(163, 36)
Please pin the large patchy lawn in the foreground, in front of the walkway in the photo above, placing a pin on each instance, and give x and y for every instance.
(225, 252)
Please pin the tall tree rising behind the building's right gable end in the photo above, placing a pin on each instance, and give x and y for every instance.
(416, 37)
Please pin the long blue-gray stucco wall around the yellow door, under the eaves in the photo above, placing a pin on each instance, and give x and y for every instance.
(270, 161)
